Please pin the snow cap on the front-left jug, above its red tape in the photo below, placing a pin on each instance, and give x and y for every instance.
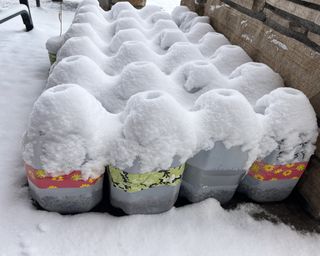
(68, 110)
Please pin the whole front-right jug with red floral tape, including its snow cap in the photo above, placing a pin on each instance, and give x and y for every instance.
(292, 127)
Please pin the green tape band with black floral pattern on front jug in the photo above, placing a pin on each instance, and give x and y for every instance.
(134, 182)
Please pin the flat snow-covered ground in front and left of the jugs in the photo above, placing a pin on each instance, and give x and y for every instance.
(200, 229)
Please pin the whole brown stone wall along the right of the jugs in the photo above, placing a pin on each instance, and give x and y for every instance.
(286, 36)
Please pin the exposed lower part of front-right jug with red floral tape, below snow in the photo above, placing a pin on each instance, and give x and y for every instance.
(269, 181)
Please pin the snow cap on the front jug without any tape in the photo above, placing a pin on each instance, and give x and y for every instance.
(225, 115)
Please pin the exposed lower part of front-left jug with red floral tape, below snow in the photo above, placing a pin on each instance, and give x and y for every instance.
(64, 194)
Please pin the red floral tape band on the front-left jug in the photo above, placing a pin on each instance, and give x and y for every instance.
(73, 180)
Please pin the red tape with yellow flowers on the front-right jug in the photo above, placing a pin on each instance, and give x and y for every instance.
(267, 172)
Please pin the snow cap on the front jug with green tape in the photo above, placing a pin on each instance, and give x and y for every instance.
(156, 130)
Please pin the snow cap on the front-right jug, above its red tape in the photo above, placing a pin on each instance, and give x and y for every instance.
(290, 124)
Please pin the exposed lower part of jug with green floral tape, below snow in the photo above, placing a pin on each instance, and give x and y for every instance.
(144, 193)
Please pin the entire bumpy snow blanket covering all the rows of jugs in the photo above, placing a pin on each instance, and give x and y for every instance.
(153, 87)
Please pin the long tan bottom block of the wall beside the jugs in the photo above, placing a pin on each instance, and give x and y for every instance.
(296, 63)
